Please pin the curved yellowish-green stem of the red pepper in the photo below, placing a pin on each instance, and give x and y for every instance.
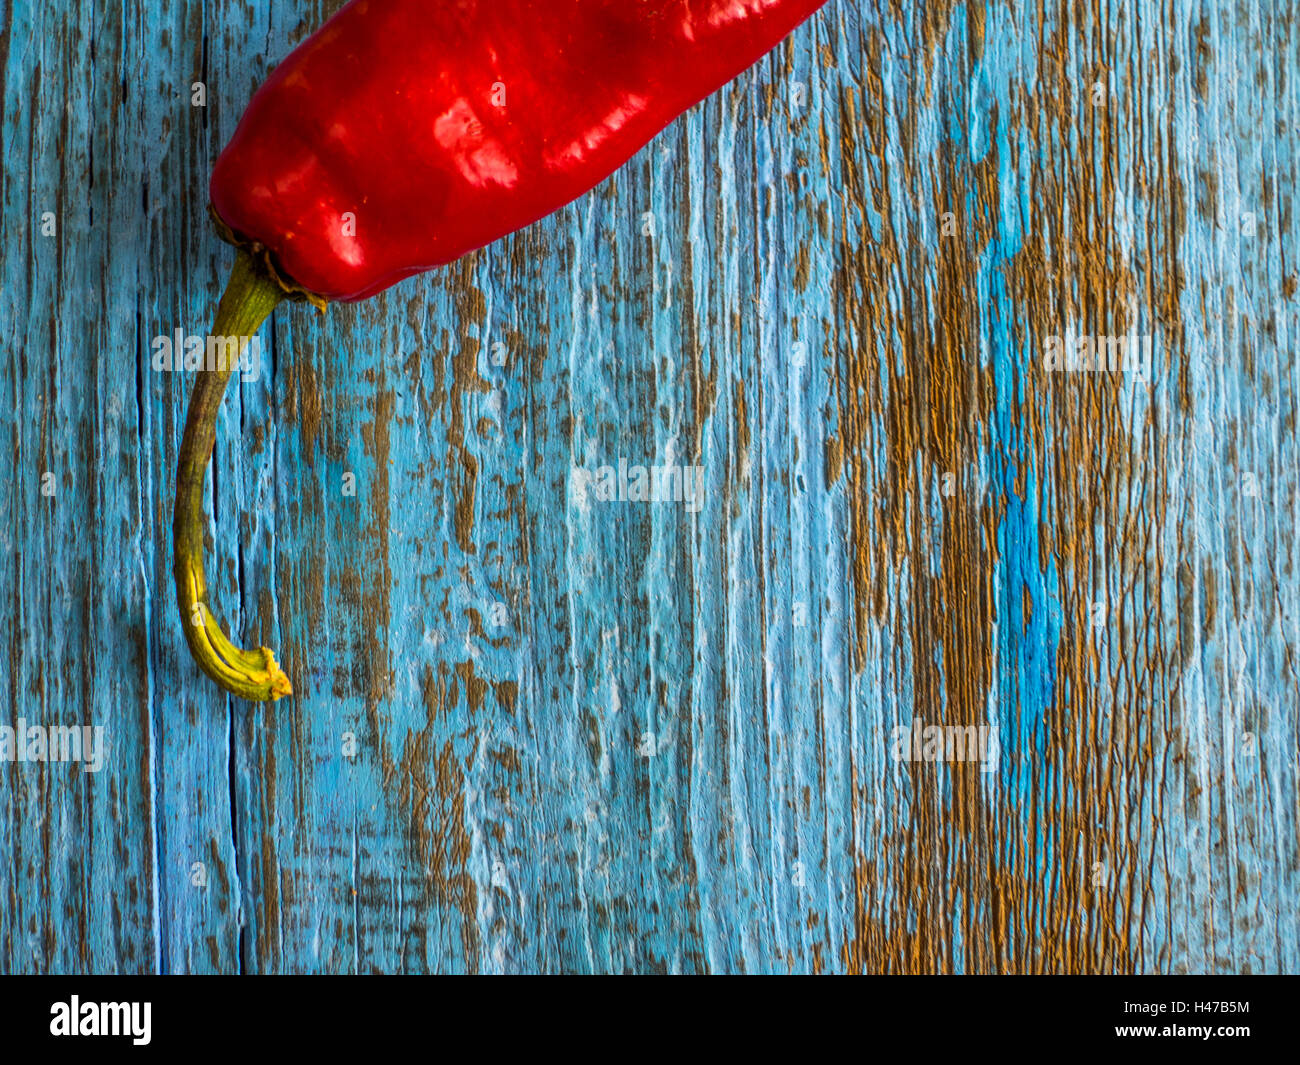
(250, 297)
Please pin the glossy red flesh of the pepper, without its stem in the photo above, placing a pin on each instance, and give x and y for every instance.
(406, 133)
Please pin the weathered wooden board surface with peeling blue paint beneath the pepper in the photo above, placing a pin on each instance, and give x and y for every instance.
(625, 737)
